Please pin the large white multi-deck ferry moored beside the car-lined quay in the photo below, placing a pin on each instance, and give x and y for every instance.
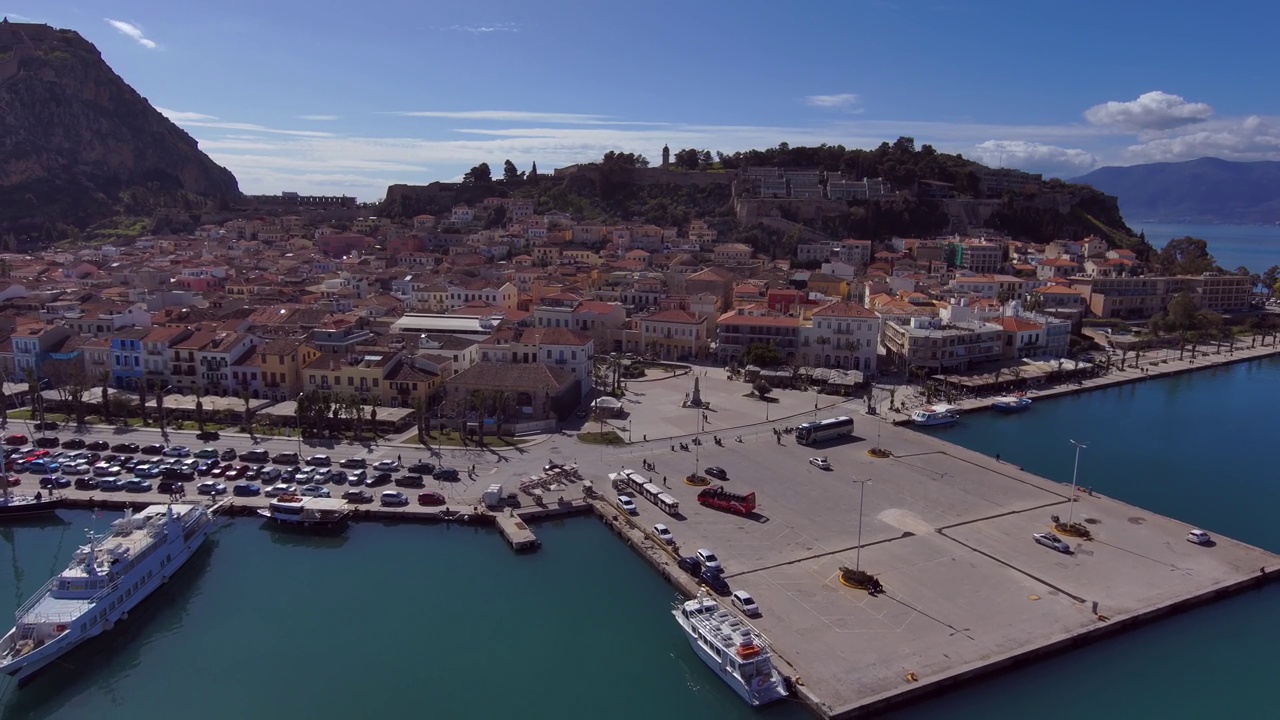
(106, 580)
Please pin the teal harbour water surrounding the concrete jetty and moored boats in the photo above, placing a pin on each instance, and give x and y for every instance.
(445, 621)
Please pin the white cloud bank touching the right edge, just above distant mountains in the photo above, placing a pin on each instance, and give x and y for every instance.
(1246, 139)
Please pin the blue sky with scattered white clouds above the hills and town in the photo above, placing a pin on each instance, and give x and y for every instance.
(345, 98)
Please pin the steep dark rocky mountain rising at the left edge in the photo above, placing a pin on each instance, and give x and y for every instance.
(79, 145)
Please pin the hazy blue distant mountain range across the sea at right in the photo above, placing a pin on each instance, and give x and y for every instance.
(1197, 192)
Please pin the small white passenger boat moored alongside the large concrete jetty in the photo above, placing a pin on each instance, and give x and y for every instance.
(733, 649)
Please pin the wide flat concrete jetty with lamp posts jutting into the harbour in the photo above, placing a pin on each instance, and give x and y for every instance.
(950, 536)
